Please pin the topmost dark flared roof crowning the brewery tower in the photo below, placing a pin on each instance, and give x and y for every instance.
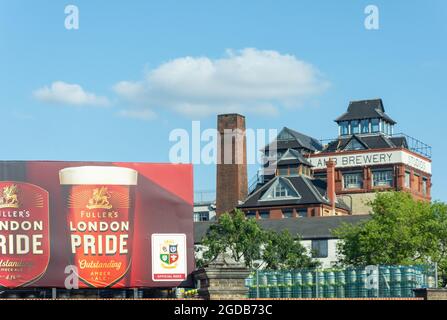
(365, 109)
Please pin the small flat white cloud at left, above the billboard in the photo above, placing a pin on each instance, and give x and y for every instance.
(69, 94)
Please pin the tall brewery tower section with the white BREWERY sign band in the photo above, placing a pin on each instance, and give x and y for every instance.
(370, 157)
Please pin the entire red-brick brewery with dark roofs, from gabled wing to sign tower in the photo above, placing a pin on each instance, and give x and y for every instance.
(310, 179)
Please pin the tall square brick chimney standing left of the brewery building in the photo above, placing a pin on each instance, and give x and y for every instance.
(232, 182)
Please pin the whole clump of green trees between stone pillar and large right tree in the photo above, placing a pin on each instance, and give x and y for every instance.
(245, 241)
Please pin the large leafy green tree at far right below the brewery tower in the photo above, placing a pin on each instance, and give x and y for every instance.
(401, 231)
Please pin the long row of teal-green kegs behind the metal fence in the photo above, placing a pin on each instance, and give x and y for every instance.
(365, 282)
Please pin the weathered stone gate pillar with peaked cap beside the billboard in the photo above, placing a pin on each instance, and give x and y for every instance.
(222, 280)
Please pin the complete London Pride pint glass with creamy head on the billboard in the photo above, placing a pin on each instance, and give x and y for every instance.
(100, 209)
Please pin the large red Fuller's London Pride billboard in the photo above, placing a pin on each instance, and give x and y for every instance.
(104, 225)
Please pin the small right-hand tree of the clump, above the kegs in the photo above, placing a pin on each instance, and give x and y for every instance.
(283, 251)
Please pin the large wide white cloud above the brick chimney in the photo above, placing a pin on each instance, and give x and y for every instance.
(249, 80)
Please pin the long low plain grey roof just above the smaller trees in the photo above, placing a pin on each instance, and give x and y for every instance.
(307, 228)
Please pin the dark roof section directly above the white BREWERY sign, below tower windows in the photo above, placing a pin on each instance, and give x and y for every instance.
(377, 141)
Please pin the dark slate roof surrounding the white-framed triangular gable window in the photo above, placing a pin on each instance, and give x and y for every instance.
(311, 191)
